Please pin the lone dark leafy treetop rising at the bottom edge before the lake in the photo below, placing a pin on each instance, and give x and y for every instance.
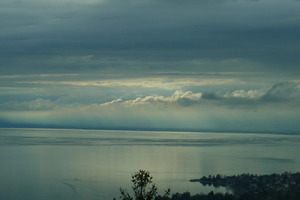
(141, 189)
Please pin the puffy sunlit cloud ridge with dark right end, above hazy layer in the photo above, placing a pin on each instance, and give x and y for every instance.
(280, 91)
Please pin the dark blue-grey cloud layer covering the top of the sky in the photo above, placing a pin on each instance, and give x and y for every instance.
(44, 36)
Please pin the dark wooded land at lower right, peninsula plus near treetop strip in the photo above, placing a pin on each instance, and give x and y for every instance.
(285, 186)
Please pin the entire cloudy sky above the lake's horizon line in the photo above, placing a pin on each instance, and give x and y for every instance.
(193, 65)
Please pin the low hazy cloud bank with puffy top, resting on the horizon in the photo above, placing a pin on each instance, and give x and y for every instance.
(274, 110)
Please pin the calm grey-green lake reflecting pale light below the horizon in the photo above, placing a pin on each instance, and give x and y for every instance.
(64, 164)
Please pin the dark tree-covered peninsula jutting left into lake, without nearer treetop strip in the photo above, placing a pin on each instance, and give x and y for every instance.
(285, 185)
